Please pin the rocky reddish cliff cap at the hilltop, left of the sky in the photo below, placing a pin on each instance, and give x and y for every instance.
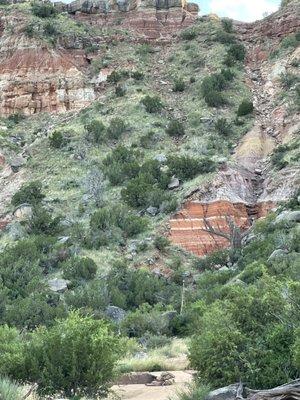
(148, 19)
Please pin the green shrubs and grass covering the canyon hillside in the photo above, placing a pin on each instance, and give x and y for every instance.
(97, 205)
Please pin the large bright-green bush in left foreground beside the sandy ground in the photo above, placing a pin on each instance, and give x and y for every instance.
(86, 351)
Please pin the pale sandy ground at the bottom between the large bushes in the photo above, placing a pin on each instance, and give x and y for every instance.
(143, 392)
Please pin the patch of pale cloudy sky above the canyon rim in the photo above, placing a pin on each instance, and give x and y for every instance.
(243, 10)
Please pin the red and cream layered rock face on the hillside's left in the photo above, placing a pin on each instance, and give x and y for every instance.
(36, 80)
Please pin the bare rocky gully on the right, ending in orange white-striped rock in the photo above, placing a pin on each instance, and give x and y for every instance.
(249, 187)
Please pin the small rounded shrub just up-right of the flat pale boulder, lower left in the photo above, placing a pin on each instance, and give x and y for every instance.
(79, 268)
